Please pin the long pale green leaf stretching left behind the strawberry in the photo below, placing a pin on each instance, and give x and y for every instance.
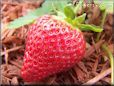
(30, 17)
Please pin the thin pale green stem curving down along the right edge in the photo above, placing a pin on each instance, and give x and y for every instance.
(106, 49)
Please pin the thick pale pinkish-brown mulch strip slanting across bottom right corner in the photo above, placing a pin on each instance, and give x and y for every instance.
(98, 77)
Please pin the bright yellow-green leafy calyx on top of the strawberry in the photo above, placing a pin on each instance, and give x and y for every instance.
(78, 21)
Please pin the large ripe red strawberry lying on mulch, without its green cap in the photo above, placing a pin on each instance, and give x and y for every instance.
(52, 46)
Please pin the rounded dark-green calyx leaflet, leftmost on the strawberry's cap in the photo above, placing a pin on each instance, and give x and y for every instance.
(68, 11)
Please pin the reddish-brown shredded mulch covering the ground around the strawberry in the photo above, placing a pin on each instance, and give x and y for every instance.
(94, 68)
